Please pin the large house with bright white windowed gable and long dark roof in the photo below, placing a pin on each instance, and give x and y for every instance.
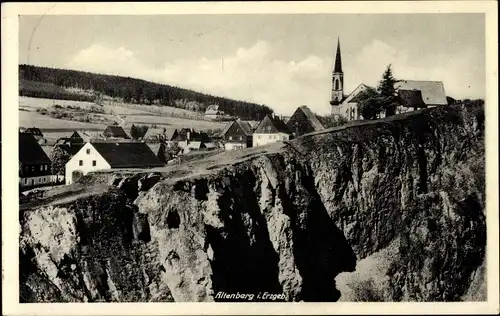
(95, 156)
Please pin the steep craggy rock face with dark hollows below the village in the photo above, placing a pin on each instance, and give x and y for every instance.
(387, 211)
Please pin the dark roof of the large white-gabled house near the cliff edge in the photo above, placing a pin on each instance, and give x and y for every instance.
(127, 154)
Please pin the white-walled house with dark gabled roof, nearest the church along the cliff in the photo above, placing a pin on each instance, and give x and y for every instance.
(270, 130)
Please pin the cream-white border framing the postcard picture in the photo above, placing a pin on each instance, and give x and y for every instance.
(10, 226)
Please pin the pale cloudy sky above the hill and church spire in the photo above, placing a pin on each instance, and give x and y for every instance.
(280, 60)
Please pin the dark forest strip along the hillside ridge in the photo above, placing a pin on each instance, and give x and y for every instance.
(44, 82)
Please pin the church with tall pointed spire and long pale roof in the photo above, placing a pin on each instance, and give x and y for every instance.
(413, 94)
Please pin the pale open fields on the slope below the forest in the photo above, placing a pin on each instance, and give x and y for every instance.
(131, 114)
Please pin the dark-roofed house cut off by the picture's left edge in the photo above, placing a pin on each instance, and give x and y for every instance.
(34, 164)
